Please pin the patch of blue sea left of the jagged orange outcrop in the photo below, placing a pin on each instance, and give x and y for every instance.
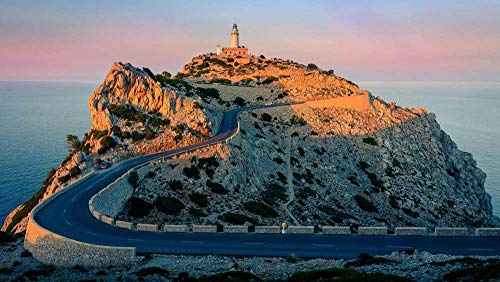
(35, 118)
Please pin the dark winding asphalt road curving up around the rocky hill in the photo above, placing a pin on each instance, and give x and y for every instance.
(68, 215)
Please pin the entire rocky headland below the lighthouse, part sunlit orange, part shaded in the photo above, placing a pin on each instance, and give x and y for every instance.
(342, 157)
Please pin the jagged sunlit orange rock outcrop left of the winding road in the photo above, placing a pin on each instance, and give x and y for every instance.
(131, 114)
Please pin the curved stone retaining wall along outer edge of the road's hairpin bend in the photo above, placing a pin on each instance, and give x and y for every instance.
(55, 249)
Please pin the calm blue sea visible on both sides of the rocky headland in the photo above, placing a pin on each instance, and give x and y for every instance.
(35, 118)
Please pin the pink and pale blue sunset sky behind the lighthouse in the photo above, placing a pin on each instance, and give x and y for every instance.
(362, 41)
